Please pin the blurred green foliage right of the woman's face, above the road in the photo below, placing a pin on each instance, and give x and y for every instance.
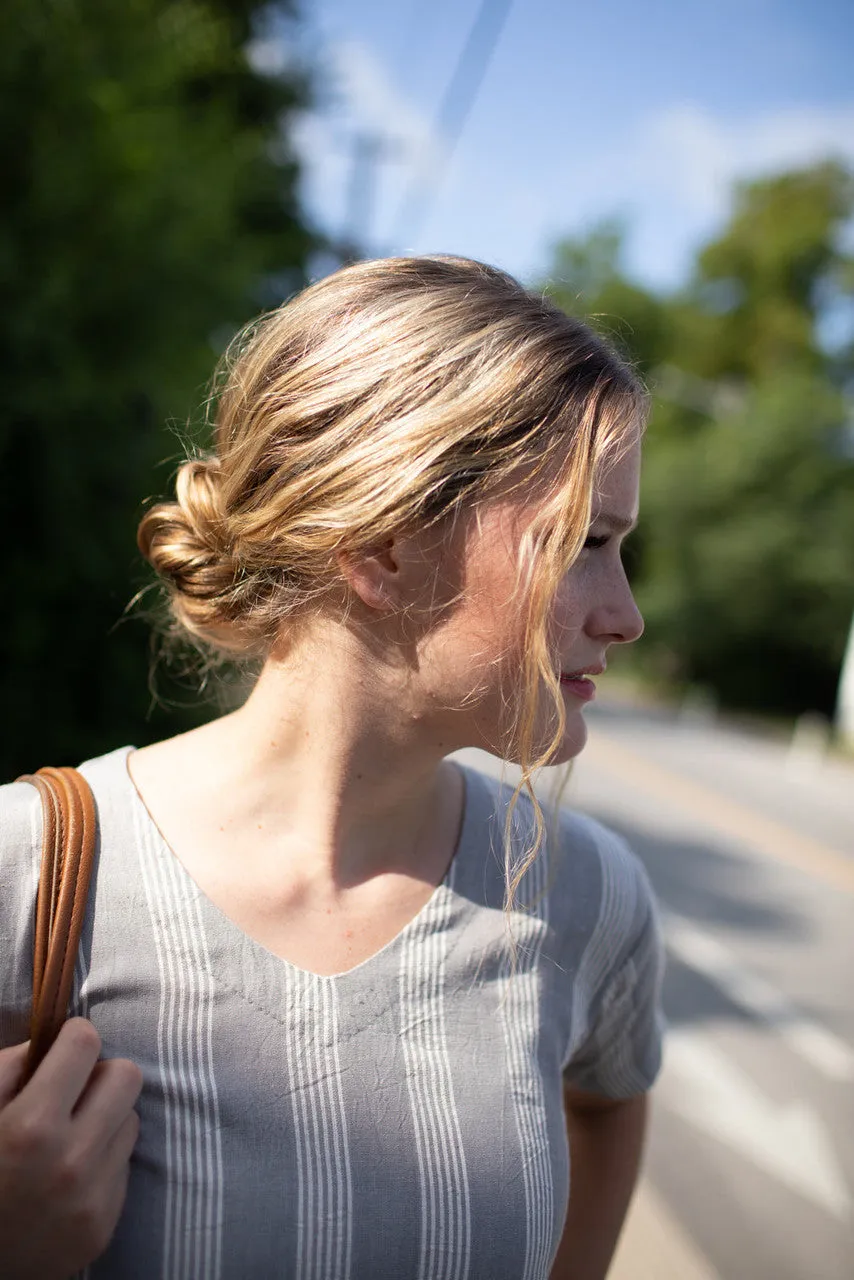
(746, 561)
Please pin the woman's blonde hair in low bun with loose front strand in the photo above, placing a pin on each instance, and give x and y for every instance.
(392, 396)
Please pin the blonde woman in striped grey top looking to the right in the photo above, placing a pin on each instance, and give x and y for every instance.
(342, 999)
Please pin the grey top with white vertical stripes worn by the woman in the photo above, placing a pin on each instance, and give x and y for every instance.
(398, 1122)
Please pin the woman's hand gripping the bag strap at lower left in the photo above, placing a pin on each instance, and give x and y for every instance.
(66, 1145)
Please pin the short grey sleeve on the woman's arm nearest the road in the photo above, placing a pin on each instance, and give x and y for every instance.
(622, 1055)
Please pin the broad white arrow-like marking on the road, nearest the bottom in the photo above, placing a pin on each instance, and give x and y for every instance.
(789, 1142)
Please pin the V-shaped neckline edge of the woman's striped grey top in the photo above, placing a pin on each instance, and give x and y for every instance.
(238, 939)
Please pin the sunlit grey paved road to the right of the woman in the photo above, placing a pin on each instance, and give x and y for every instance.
(751, 1164)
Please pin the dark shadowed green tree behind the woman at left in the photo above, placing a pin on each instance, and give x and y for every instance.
(150, 208)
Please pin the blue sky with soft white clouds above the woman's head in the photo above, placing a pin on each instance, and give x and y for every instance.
(587, 111)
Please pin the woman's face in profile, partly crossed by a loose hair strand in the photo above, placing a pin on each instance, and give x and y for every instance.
(481, 646)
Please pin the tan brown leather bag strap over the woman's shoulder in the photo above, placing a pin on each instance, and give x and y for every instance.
(67, 857)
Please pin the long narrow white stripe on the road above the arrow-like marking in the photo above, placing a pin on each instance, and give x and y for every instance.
(812, 1043)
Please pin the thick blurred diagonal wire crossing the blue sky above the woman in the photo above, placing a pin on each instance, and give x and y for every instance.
(454, 111)
